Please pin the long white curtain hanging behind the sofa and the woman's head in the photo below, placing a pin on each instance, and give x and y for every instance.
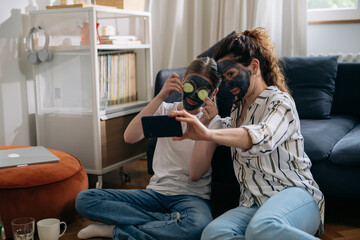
(182, 29)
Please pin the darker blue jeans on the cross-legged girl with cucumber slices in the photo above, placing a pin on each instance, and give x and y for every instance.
(145, 214)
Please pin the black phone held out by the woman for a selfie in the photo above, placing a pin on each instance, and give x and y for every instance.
(161, 126)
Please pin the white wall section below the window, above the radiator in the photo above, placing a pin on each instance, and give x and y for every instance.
(333, 38)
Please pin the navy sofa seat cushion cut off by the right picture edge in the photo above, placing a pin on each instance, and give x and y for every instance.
(347, 150)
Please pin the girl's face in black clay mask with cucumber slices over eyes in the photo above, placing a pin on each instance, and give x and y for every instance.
(195, 90)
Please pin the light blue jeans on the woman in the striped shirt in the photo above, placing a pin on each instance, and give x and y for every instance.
(290, 214)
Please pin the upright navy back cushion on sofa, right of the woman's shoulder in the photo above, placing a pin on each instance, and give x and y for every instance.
(312, 83)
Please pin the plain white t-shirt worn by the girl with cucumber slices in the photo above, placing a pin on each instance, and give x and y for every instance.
(171, 162)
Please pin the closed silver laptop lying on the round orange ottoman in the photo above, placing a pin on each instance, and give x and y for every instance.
(18, 157)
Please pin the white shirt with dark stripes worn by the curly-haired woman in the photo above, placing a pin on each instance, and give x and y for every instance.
(277, 159)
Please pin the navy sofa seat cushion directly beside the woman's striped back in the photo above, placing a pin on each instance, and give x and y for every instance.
(321, 135)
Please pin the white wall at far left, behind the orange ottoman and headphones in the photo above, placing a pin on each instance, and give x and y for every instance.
(16, 124)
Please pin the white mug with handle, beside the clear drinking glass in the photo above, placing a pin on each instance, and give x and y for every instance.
(49, 229)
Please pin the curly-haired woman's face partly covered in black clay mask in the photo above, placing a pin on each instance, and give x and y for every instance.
(235, 78)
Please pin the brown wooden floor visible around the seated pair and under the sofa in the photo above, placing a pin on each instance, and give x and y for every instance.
(341, 223)
